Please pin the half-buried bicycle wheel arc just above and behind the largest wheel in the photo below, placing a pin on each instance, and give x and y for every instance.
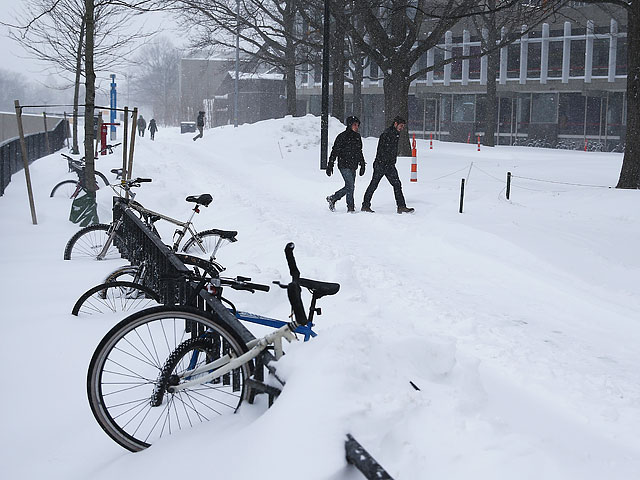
(115, 297)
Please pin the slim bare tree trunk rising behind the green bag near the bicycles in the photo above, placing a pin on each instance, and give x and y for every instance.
(90, 95)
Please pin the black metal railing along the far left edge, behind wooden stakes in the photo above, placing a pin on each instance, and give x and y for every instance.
(11, 153)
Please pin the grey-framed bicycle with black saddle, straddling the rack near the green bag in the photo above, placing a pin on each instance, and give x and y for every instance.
(101, 241)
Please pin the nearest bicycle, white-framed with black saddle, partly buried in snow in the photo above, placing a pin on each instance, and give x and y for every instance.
(170, 367)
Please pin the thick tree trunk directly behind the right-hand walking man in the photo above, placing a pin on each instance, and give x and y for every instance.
(396, 103)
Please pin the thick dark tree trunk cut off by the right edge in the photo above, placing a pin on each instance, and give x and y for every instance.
(630, 173)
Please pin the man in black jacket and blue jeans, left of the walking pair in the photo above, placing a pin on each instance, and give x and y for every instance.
(347, 148)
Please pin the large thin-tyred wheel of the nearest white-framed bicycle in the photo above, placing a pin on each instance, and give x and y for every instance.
(140, 357)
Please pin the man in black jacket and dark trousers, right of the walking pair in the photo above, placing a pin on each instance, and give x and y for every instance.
(385, 166)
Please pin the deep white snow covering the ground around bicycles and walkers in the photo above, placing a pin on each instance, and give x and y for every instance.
(518, 319)
